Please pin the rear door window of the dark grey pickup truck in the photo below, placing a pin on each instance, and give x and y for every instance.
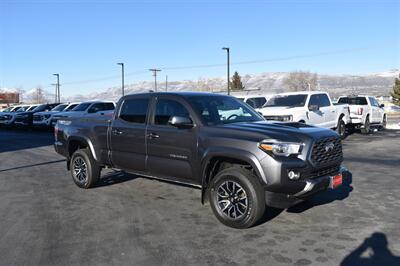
(135, 110)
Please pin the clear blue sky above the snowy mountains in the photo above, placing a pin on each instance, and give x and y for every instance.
(83, 40)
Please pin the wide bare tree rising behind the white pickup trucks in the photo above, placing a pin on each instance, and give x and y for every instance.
(300, 81)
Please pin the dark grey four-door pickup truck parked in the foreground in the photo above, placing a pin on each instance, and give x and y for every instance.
(241, 162)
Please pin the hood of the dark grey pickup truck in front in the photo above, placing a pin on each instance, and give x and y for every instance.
(292, 131)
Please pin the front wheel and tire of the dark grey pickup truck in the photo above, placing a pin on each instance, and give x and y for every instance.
(248, 186)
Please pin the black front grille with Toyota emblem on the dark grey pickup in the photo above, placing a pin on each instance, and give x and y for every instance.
(327, 151)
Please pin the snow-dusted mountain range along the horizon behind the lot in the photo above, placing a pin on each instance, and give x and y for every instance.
(268, 83)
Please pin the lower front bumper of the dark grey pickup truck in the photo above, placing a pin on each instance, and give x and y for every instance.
(310, 188)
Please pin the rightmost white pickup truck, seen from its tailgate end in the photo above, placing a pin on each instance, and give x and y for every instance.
(365, 111)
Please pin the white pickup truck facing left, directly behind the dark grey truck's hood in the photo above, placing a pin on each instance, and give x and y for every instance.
(309, 107)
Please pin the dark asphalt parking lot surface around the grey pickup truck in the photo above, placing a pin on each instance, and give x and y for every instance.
(47, 220)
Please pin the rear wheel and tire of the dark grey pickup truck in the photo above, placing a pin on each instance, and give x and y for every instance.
(84, 170)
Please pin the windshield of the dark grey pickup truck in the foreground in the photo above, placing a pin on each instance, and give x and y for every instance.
(215, 110)
